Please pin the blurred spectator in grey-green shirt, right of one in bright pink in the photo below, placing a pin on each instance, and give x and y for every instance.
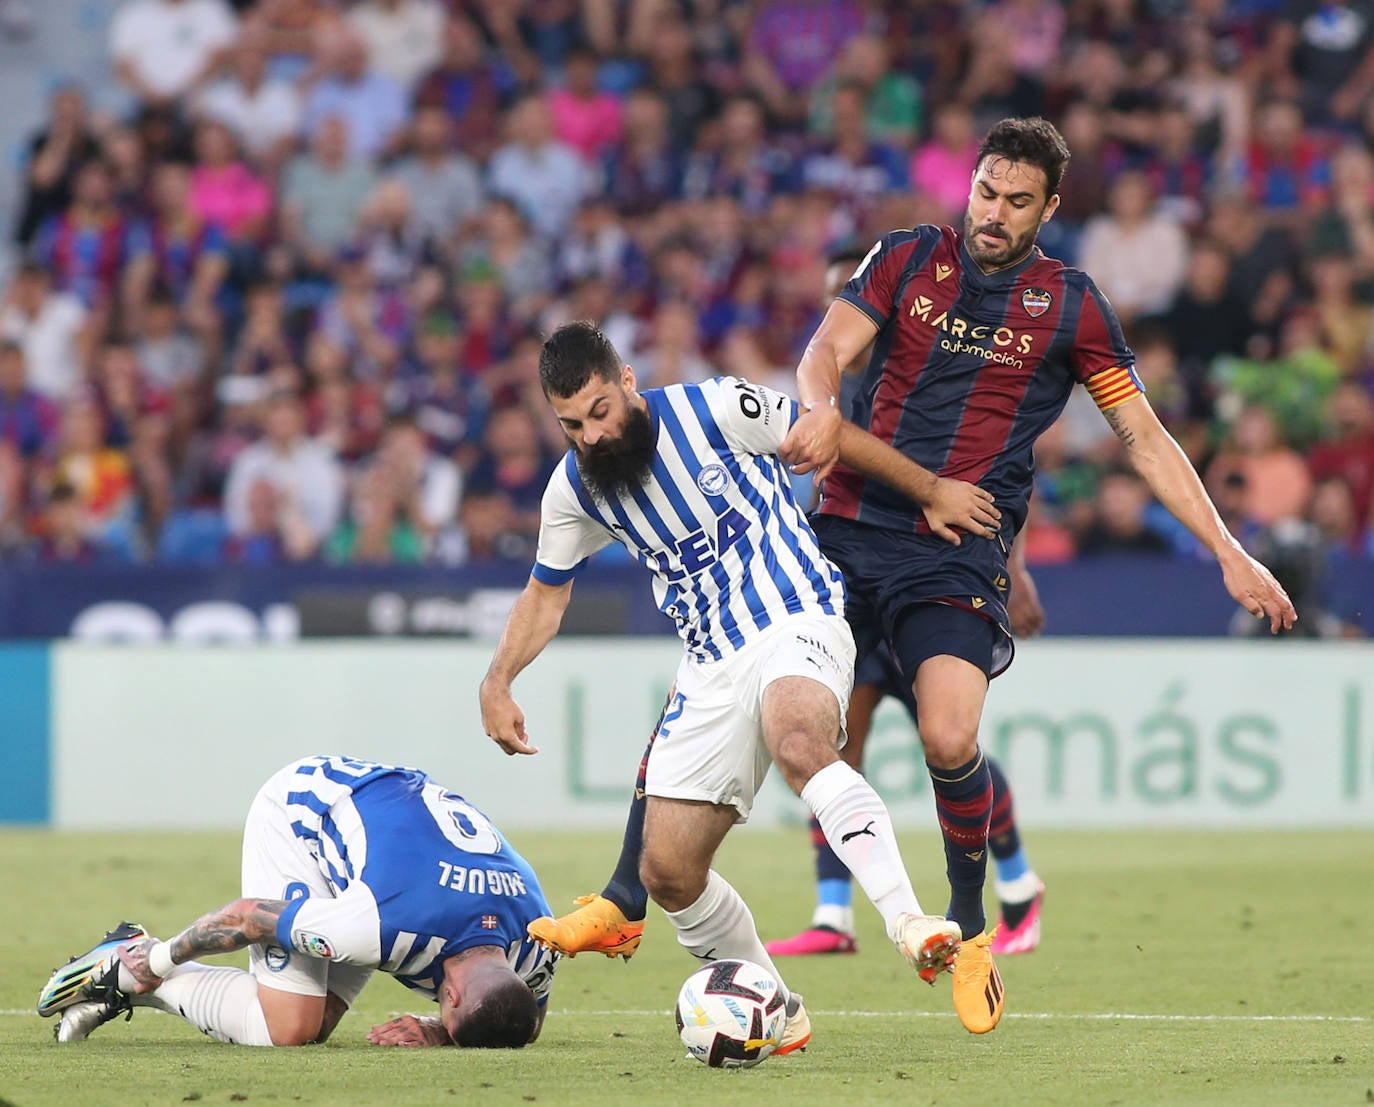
(322, 196)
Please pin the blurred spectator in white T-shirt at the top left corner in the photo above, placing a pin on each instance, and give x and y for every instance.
(164, 49)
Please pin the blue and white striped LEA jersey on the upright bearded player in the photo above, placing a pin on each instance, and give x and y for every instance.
(717, 523)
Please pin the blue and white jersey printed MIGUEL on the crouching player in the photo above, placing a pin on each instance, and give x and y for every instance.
(418, 876)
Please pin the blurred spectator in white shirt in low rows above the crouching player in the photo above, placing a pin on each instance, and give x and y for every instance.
(304, 475)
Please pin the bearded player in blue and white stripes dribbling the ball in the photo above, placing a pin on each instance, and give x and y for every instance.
(689, 479)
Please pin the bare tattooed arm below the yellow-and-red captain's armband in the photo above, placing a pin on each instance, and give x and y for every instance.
(1177, 486)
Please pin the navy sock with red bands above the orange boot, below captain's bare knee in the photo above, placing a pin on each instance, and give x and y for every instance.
(964, 807)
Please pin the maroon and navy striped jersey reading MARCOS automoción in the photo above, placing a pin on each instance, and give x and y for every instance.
(969, 369)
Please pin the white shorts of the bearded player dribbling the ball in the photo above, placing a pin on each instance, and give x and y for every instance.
(711, 744)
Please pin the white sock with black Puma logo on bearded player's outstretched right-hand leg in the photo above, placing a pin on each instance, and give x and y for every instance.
(859, 830)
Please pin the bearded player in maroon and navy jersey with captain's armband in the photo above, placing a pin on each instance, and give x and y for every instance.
(978, 340)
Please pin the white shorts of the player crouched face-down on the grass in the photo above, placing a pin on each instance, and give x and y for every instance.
(278, 866)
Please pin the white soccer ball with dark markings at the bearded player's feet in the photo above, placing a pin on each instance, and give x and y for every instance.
(732, 1014)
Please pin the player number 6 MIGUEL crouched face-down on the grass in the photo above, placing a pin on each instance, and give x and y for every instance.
(350, 867)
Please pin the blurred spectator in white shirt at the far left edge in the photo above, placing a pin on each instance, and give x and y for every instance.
(52, 328)
